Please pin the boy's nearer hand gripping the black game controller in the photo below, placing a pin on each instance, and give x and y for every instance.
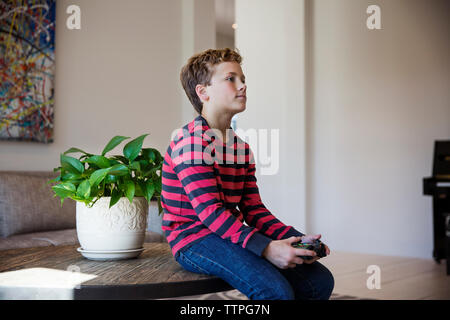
(283, 255)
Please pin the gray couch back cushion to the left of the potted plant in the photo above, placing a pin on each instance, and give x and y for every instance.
(27, 204)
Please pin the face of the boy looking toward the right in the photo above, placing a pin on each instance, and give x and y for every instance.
(227, 92)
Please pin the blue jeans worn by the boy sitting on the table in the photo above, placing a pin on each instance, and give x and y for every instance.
(255, 276)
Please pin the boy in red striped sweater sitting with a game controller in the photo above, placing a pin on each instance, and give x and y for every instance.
(201, 190)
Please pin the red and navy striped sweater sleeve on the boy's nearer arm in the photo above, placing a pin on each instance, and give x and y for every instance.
(197, 177)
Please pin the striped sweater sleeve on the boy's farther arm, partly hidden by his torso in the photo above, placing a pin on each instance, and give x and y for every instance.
(257, 215)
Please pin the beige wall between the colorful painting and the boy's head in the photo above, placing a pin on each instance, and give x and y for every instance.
(118, 75)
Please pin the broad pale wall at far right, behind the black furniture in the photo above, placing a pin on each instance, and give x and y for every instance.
(377, 101)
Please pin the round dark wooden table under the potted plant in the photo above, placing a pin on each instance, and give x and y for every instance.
(63, 273)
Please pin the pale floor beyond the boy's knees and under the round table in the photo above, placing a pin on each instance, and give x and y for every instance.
(399, 278)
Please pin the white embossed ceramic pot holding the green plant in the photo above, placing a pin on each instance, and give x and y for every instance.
(120, 228)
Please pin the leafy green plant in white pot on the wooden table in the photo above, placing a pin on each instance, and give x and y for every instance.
(113, 194)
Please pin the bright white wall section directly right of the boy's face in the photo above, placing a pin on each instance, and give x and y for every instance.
(270, 40)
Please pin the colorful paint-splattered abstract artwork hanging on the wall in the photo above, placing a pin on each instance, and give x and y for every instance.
(27, 59)
